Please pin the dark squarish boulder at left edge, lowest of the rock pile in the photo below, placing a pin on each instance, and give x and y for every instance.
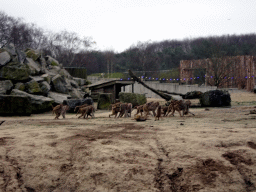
(15, 105)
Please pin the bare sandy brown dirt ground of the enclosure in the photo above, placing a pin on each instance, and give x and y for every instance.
(215, 150)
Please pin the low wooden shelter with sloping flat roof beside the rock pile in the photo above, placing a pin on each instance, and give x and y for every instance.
(109, 86)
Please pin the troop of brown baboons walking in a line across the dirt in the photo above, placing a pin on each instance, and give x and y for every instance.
(120, 110)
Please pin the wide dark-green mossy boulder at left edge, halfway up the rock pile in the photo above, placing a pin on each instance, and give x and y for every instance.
(15, 71)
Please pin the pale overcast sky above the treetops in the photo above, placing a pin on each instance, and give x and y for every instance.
(117, 24)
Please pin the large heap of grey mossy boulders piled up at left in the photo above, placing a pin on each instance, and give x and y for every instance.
(40, 78)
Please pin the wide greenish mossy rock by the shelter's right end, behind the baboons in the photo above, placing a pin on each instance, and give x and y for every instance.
(135, 99)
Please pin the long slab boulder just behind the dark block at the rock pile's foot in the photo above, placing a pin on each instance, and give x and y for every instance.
(39, 103)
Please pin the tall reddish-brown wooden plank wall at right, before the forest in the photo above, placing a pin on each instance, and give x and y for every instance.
(237, 72)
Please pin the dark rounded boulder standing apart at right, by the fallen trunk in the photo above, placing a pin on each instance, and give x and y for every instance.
(215, 98)
